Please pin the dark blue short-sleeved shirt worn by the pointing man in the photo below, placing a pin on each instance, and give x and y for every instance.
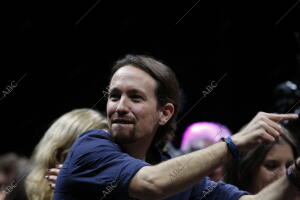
(96, 168)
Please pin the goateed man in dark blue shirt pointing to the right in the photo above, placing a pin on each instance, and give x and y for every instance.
(142, 108)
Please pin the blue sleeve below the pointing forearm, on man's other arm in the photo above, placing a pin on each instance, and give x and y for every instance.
(210, 190)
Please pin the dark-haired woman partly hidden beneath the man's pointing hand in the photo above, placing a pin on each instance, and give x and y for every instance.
(262, 165)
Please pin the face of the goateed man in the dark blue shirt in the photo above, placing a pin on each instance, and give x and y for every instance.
(132, 105)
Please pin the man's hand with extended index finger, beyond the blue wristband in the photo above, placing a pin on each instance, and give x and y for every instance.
(264, 128)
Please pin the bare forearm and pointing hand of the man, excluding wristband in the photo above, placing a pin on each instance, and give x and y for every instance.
(175, 175)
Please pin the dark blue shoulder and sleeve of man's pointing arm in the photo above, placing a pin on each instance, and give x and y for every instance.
(96, 164)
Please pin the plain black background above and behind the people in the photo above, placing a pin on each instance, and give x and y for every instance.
(64, 51)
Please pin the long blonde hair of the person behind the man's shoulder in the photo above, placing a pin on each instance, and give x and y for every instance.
(54, 146)
